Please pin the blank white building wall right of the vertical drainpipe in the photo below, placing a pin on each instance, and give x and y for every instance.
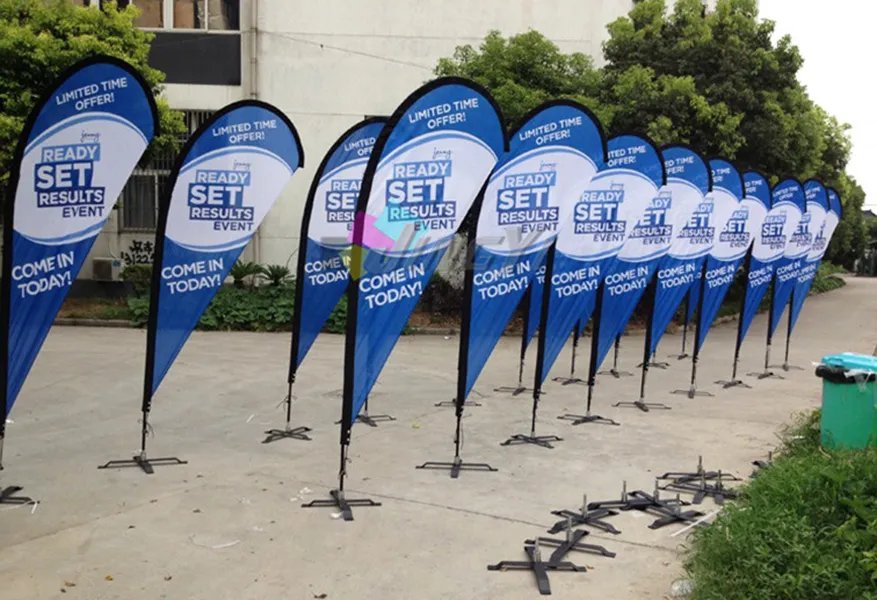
(329, 63)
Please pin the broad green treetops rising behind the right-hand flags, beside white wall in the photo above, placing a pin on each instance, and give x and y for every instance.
(713, 79)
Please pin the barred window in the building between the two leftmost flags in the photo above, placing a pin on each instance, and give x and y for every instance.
(141, 196)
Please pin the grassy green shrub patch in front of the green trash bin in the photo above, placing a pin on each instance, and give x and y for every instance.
(804, 529)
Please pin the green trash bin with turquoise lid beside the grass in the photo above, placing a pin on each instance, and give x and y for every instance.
(849, 400)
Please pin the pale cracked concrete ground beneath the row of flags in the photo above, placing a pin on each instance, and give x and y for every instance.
(229, 524)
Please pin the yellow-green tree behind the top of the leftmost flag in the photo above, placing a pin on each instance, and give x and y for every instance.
(40, 38)
